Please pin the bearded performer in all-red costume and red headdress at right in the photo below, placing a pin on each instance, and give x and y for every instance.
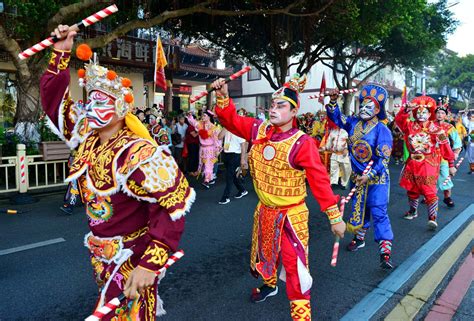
(426, 143)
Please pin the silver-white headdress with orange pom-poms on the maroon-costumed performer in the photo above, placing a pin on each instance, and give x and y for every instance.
(98, 78)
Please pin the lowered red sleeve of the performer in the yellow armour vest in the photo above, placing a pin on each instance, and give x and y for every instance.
(318, 179)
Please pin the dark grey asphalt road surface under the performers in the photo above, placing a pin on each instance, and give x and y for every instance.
(211, 282)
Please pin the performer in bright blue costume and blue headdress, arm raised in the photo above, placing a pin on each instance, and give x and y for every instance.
(369, 139)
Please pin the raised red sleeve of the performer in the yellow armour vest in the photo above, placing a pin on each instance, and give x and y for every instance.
(236, 124)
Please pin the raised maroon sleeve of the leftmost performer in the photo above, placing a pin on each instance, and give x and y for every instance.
(65, 119)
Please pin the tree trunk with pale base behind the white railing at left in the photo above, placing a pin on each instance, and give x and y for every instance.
(28, 108)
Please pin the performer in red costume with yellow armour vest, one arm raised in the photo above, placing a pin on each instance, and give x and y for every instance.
(280, 159)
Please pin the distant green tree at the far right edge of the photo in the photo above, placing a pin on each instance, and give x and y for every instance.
(456, 72)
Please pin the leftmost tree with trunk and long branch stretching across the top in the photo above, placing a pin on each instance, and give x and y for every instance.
(25, 23)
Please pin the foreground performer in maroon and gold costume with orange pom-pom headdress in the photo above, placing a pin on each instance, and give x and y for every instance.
(134, 194)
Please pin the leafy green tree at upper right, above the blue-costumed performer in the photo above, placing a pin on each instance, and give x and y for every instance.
(401, 33)
